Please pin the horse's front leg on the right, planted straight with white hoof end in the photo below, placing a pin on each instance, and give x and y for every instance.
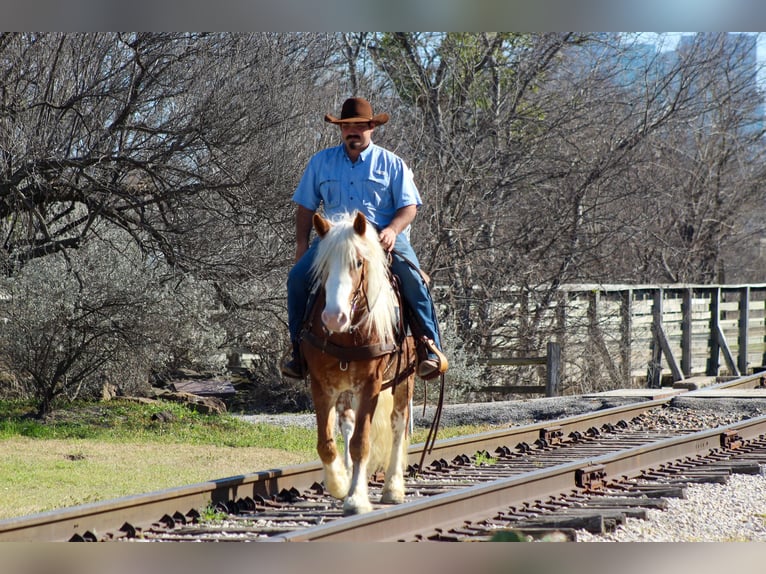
(358, 499)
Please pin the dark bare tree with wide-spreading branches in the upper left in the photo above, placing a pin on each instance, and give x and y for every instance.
(128, 128)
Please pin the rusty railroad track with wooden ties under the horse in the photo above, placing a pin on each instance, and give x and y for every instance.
(536, 479)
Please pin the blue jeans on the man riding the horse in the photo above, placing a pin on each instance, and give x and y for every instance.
(415, 292)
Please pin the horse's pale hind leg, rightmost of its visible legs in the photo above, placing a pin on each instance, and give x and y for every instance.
(393, 487)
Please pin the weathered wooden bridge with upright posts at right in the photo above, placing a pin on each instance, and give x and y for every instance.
(672, 331)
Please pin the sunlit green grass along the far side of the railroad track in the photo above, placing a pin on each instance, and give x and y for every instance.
(90, 452)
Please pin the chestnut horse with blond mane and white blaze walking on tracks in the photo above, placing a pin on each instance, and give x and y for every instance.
(360, 362)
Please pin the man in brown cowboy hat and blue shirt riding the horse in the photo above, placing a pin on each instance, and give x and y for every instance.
(360, 175)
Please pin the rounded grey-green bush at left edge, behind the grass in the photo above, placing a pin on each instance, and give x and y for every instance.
(102, 315)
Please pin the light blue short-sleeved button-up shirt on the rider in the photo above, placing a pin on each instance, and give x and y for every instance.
(378, 184)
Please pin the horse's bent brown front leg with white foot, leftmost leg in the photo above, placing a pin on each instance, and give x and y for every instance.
(336, 475)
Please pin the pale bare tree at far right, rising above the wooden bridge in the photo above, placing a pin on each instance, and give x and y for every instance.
(710, 171)
